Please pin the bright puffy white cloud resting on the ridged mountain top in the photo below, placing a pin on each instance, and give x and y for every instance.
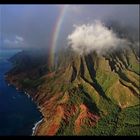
(90, 37)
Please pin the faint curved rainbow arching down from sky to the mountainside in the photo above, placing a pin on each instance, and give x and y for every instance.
(55, 35)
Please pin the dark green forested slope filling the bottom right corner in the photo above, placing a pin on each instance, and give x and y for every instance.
(125, 122)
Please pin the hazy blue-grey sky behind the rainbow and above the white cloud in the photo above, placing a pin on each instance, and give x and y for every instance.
(26, 26)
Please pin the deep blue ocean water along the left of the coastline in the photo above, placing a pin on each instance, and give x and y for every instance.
(18, 113)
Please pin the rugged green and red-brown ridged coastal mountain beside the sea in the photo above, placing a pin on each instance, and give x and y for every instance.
(83, 95)
